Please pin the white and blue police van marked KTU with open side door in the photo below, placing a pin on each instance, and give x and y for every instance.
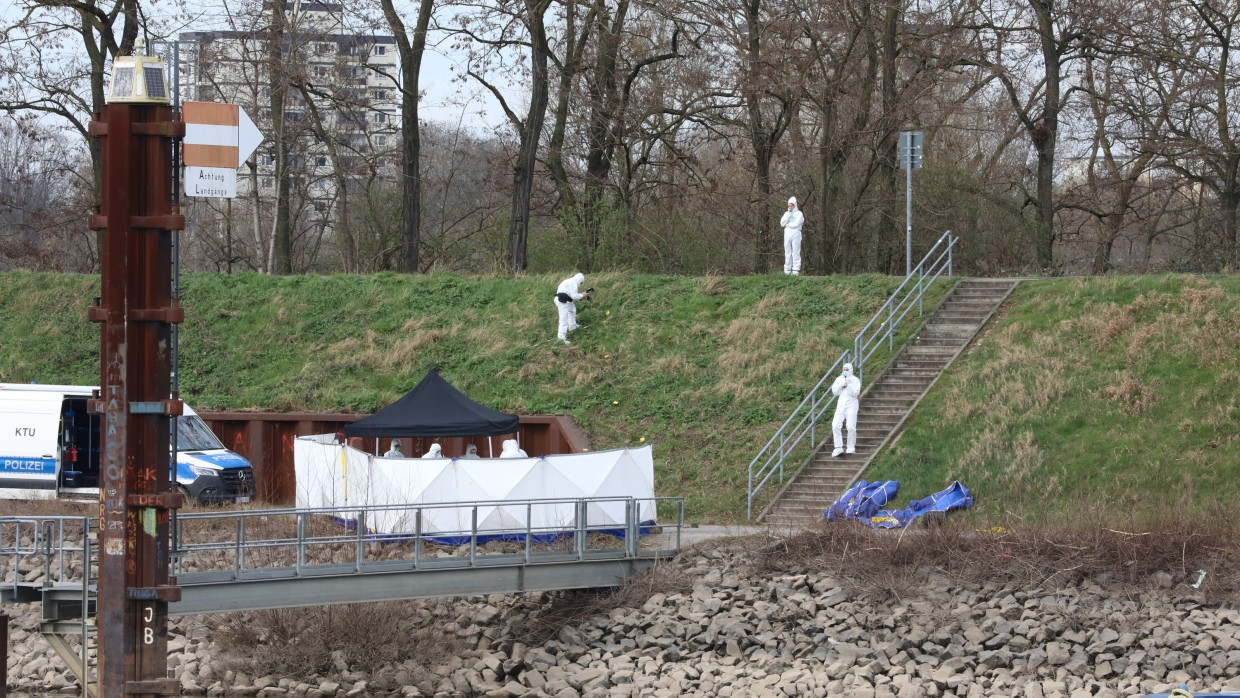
(51, 447)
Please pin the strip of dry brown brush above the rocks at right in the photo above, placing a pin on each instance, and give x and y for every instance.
(900, 562)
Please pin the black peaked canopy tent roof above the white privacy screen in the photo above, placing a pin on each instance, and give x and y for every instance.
(435, 409)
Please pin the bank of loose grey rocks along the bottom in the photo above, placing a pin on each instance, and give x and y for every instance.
(738, 633)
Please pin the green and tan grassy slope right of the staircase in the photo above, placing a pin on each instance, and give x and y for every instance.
(1103, 399)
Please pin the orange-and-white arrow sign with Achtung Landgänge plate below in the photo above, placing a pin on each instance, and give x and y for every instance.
(219, 138)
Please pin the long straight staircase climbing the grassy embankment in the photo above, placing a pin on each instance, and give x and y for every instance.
(890, 401)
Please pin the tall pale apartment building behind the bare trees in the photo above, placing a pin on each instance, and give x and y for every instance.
(343, 105)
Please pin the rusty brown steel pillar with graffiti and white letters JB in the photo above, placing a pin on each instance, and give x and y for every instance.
(137, 312)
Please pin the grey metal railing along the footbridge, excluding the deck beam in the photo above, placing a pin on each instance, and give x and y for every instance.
(215, 546)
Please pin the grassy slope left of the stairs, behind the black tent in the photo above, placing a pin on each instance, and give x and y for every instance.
(704, 369)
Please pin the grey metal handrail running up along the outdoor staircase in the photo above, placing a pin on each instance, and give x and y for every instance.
(772, 458)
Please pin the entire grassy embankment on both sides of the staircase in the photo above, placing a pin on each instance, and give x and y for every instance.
(1103, 399)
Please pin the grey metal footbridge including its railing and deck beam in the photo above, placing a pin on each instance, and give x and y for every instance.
(251, 560)
